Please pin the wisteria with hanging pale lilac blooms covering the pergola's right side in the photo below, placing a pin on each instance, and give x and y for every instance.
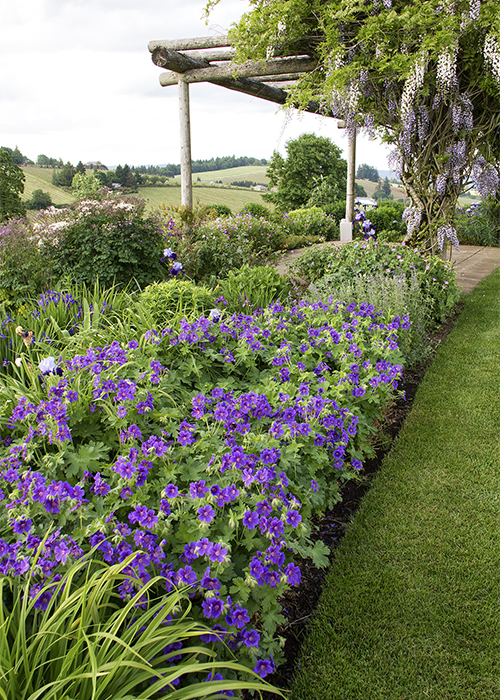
(423, 75)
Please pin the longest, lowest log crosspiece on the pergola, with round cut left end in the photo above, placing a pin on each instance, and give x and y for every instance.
(249, 69)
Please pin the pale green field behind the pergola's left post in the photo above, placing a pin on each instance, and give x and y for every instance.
(235, 199)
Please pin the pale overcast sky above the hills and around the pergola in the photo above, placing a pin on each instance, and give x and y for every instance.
(77, 82)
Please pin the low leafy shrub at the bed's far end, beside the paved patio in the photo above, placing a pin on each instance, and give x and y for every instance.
(436, 278)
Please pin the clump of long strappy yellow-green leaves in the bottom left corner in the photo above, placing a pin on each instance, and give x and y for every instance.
(76, 638)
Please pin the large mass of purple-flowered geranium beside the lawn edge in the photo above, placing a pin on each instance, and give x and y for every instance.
(202, 451)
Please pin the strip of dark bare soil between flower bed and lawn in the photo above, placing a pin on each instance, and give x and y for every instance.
(298, 603)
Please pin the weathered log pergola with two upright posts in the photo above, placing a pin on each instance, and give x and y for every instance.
(210, 59)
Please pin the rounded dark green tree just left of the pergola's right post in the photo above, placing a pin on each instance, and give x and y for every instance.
(313, 169)
